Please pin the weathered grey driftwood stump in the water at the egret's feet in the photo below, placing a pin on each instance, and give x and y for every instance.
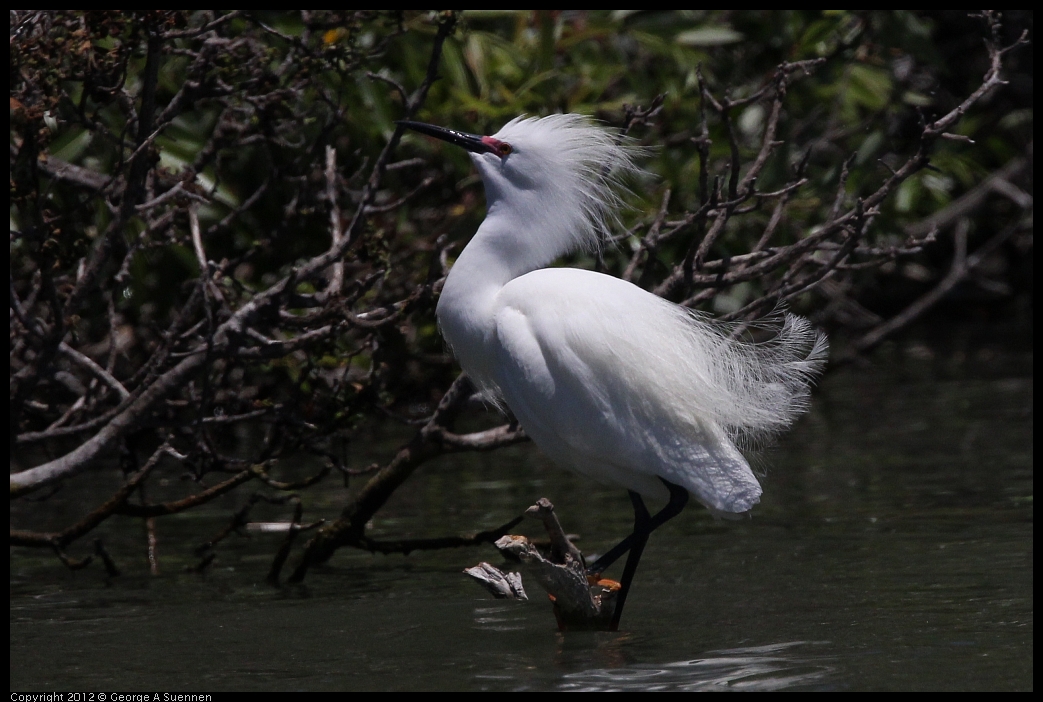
(578, 602)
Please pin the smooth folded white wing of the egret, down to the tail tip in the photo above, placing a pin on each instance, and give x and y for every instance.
(576, 362)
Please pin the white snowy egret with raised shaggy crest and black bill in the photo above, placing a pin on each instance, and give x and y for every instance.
(610, 380)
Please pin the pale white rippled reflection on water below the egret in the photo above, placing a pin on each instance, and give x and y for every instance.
(759, 668)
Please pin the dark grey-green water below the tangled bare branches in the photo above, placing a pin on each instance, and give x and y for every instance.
(893, 549)
